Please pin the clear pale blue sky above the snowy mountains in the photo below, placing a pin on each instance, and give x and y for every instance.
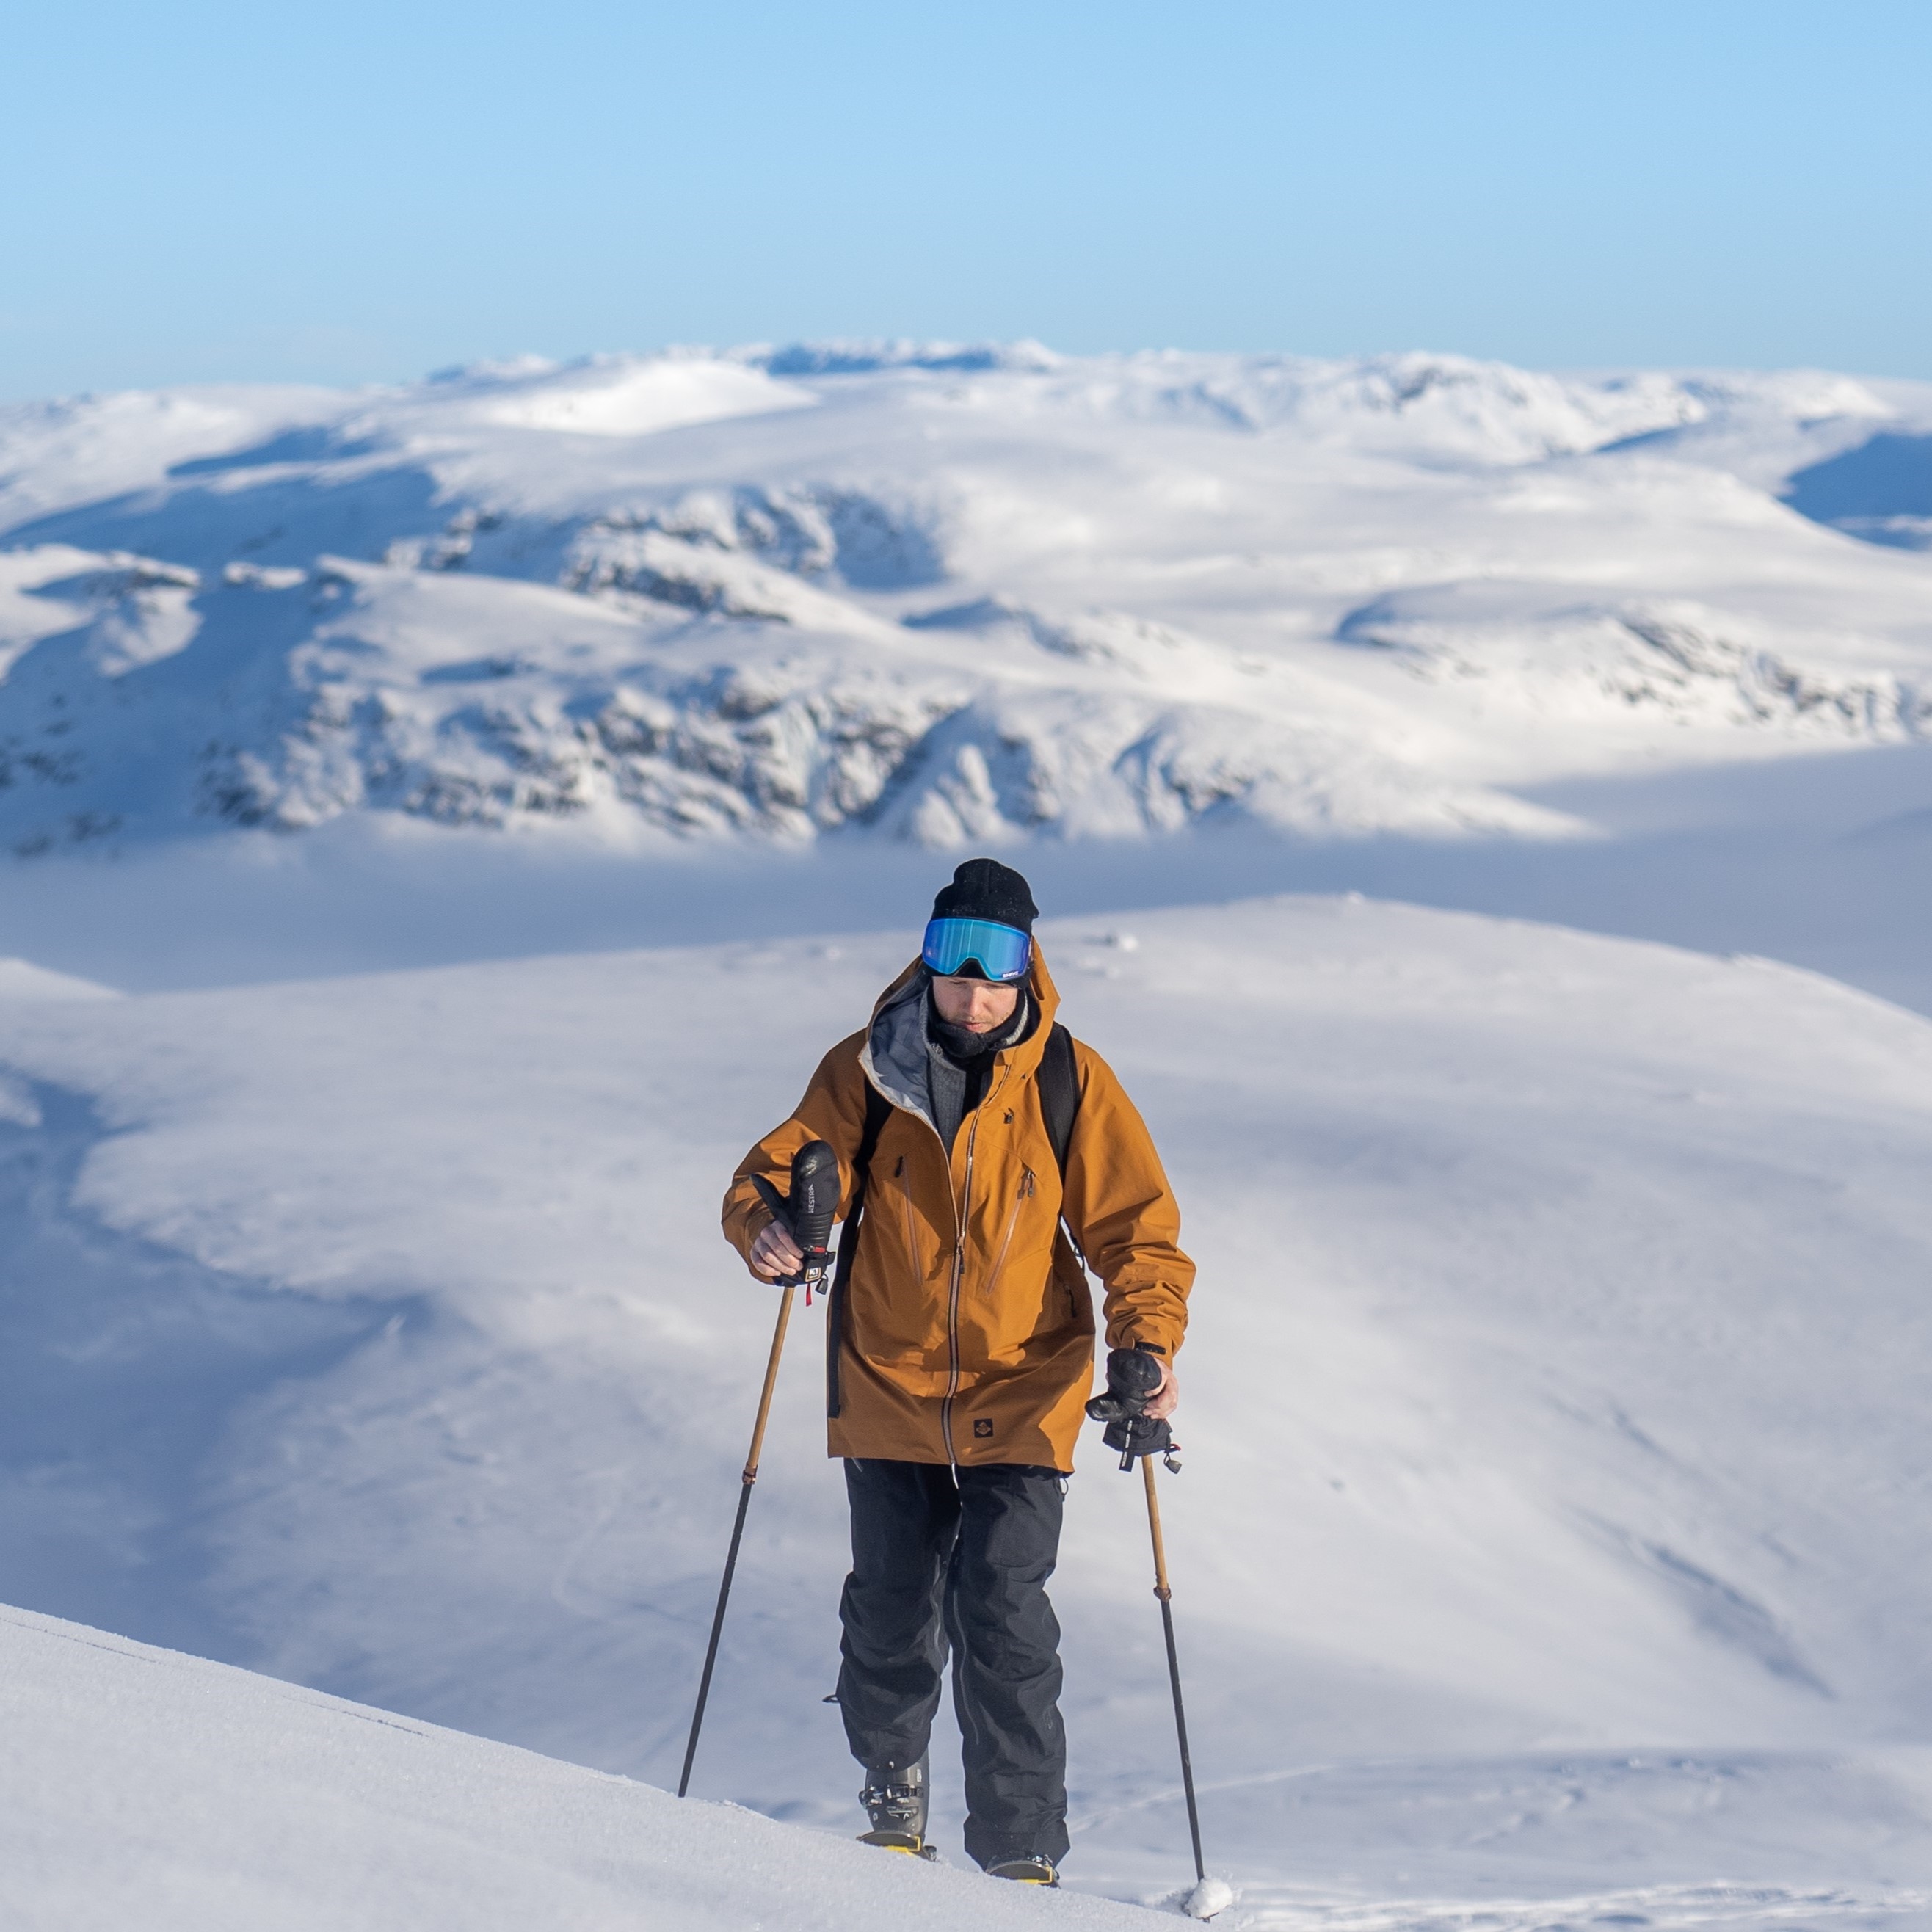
(360, 192)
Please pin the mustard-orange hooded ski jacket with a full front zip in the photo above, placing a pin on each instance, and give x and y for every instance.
(969, 1324)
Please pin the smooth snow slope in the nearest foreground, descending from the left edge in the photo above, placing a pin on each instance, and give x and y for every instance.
(161, 1792)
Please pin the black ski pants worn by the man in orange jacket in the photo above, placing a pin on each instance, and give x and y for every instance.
(959, 1558)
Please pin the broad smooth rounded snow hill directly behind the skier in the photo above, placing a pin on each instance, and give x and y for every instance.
(1554, 1520)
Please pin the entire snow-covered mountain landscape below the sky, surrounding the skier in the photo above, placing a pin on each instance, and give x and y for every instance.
(1552, 1539)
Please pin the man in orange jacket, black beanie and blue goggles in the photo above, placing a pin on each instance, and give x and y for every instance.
(961, 1351)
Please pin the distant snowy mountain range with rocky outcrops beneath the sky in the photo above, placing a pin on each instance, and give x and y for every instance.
(942, 594)
